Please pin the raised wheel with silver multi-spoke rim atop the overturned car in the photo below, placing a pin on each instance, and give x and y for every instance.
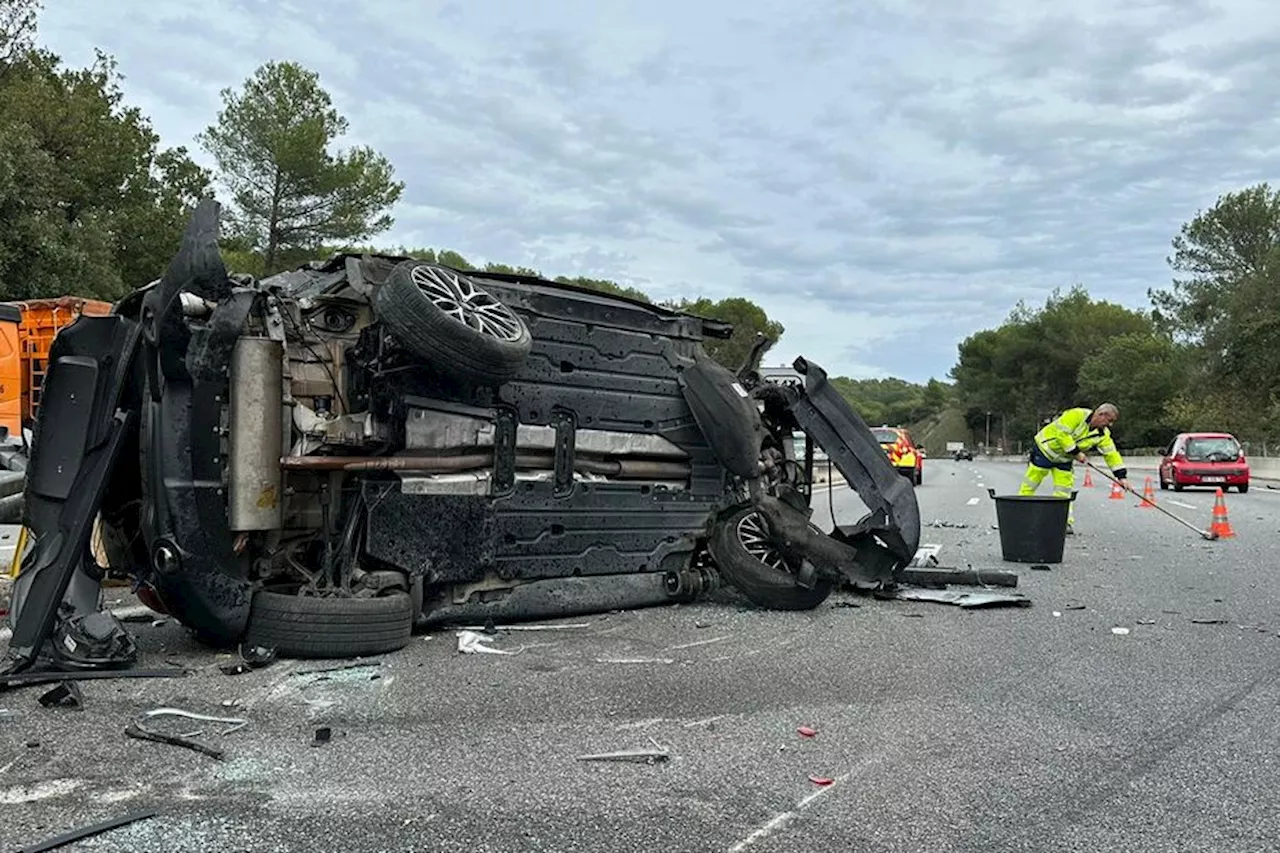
(420, 304)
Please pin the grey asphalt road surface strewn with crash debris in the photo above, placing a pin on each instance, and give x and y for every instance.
(944, 729)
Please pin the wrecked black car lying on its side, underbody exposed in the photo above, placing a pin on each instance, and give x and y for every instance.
(322, 460)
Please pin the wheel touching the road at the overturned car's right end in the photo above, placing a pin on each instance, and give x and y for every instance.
(760, 581)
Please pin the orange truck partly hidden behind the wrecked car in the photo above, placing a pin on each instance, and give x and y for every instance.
(28, 330)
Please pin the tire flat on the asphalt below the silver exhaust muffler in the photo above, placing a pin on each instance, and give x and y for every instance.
(310, 627)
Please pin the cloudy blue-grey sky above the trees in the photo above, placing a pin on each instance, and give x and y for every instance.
(884, 177)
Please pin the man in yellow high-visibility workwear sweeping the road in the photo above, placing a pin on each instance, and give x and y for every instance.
(1067, 440)
